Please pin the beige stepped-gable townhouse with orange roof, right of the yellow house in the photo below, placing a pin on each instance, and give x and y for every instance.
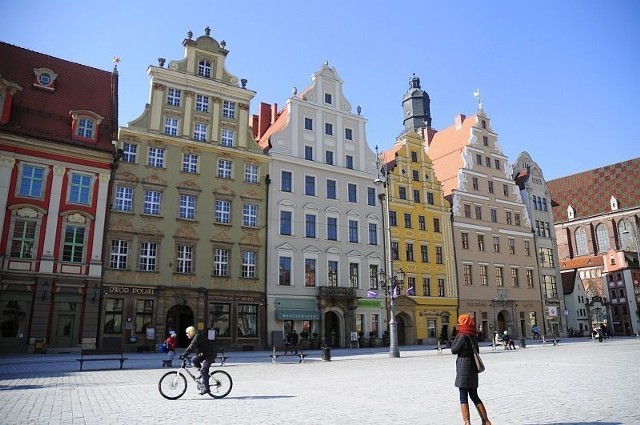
(494, 247)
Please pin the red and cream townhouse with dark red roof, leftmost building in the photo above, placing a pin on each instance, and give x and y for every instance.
(58, 125)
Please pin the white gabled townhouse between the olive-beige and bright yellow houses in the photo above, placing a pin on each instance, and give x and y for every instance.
(324, 248)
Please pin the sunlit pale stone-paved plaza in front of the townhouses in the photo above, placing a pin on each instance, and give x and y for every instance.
(576, 382)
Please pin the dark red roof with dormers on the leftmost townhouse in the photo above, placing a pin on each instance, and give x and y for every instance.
(44, 114)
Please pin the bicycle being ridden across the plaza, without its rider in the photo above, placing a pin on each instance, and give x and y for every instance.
(173, 385)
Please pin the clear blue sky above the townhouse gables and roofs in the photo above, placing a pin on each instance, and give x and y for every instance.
(559, 79)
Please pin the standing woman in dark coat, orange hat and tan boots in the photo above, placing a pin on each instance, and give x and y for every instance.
(464, 345)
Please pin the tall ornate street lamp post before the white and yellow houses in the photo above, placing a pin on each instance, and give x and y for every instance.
(391, 283)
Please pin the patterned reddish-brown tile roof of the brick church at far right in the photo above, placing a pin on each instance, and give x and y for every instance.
(589, 192)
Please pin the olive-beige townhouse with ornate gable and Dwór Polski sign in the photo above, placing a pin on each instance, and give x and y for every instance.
(185, 239)
